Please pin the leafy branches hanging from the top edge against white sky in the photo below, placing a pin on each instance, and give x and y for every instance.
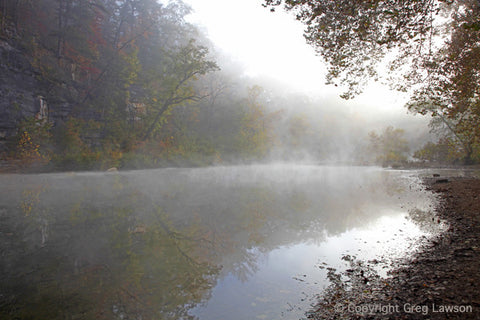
(354, 37)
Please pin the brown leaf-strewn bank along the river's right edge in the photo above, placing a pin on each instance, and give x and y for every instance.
(438, 281)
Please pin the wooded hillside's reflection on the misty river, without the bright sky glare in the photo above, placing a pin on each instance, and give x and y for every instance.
(152, 244)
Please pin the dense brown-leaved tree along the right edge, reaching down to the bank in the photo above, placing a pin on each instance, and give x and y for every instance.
(450, 94)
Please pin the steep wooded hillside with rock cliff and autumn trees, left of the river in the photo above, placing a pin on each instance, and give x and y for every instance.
(101, 83)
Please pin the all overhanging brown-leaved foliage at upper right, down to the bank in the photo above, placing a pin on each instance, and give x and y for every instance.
(431, 48)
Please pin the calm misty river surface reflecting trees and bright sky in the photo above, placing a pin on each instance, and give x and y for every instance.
(237, 242)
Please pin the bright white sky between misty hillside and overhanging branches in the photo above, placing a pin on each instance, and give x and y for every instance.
(271, 45)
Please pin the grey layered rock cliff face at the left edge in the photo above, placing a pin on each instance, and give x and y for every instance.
(25, 95)
